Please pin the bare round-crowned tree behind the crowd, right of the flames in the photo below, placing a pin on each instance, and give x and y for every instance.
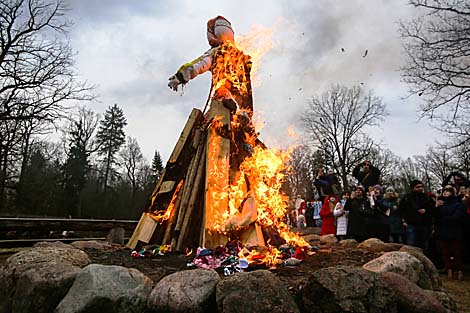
(336, 122)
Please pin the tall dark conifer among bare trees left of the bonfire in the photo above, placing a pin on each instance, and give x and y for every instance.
(110, 138)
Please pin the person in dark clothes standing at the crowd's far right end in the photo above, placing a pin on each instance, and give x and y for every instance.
(449, 217)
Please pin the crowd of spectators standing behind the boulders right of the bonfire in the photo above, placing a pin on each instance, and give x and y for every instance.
(437, 222)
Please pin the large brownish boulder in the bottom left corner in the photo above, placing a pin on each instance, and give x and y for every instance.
(35, 280)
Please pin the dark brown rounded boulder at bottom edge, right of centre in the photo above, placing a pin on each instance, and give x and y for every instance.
(347, 289)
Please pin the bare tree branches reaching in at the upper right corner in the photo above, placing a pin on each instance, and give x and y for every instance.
(438, 67)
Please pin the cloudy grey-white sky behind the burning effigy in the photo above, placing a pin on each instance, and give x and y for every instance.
(130, 48)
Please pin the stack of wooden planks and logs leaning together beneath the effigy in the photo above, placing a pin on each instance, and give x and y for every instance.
(185, 187)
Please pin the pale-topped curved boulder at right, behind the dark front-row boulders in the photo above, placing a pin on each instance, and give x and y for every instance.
(401, 263)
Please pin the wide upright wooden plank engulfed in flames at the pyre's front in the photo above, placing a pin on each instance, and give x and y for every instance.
(217, 176)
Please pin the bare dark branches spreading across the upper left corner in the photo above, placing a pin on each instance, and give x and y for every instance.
(36, 61)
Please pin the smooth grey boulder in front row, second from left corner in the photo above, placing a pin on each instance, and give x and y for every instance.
(107, 288)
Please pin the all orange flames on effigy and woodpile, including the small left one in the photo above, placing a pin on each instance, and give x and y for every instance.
(258, 178)
